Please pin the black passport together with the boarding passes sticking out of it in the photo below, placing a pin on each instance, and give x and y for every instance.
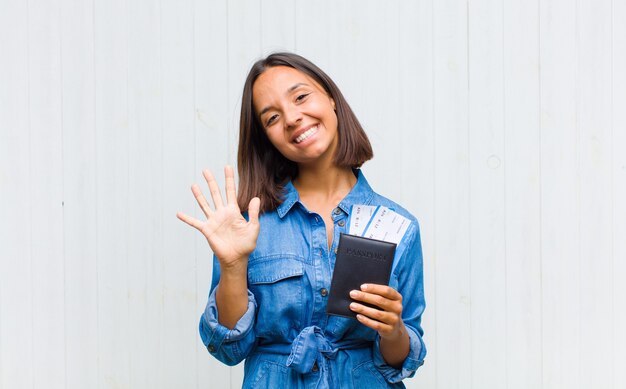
(367, 258)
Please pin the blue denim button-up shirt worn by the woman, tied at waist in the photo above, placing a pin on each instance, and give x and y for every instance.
(286, 337)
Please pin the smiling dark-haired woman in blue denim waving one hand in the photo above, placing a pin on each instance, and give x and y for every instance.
(300, 147)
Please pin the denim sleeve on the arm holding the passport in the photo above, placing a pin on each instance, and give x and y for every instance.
(411, 286)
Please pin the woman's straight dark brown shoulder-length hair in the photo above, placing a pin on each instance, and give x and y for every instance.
(263, 170)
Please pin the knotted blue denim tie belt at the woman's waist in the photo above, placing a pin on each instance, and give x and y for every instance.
(310, 346)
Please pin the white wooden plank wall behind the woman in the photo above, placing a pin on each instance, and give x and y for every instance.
(500, 124)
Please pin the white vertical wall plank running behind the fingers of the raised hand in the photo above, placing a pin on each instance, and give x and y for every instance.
(211, 151)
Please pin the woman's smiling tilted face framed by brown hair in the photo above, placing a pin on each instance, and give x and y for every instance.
(298, 116)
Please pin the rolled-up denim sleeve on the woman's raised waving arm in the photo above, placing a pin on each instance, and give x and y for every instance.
(228, 346)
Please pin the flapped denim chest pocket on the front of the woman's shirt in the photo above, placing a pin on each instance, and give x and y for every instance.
(277, 283)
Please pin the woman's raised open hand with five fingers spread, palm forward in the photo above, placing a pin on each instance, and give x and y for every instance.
(230, 236)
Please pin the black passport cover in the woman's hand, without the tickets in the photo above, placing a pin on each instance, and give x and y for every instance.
(359, 260)
